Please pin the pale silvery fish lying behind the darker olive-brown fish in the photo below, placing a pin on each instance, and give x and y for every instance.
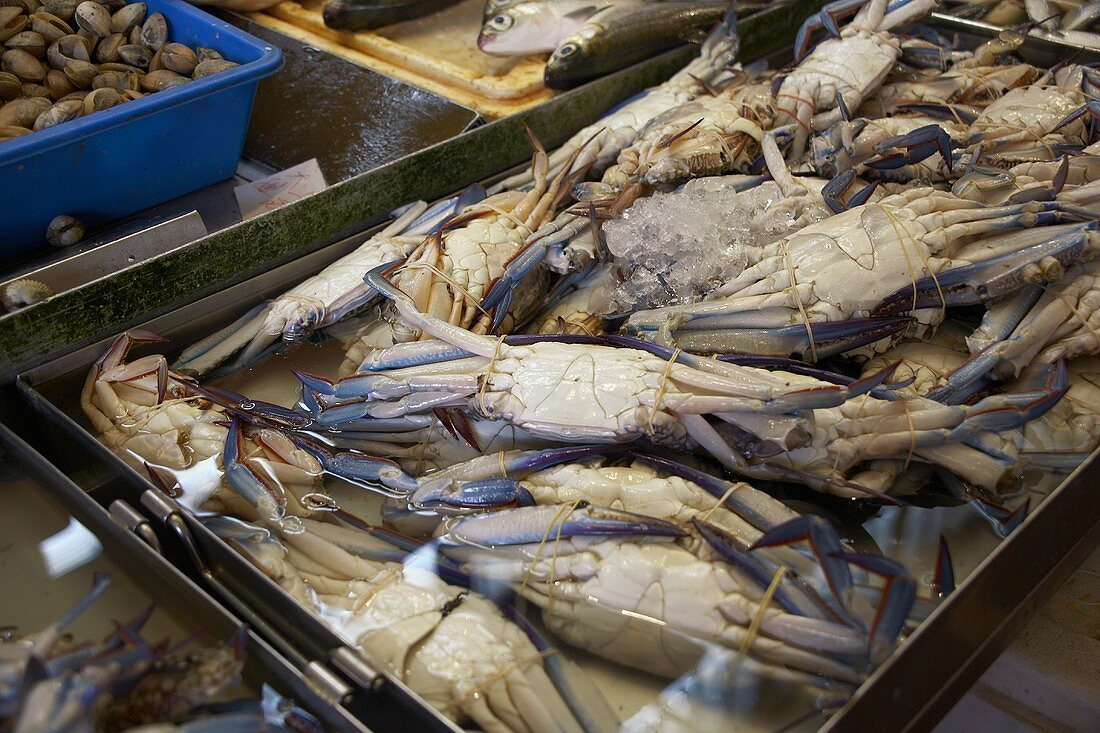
(523, 28)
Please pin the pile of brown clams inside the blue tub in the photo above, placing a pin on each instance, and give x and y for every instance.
(65, 59)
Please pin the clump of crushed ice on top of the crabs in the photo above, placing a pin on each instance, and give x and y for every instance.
(679, 247)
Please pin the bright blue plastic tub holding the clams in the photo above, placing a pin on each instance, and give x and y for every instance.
(114, 163)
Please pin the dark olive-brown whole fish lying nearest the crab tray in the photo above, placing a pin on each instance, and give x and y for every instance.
(628, 35)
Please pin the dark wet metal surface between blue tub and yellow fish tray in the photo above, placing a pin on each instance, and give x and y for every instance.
(349, 118)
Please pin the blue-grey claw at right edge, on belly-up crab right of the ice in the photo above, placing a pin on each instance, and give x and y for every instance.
(981, 282)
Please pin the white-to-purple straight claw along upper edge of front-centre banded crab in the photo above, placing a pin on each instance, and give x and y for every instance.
(530, 526)
